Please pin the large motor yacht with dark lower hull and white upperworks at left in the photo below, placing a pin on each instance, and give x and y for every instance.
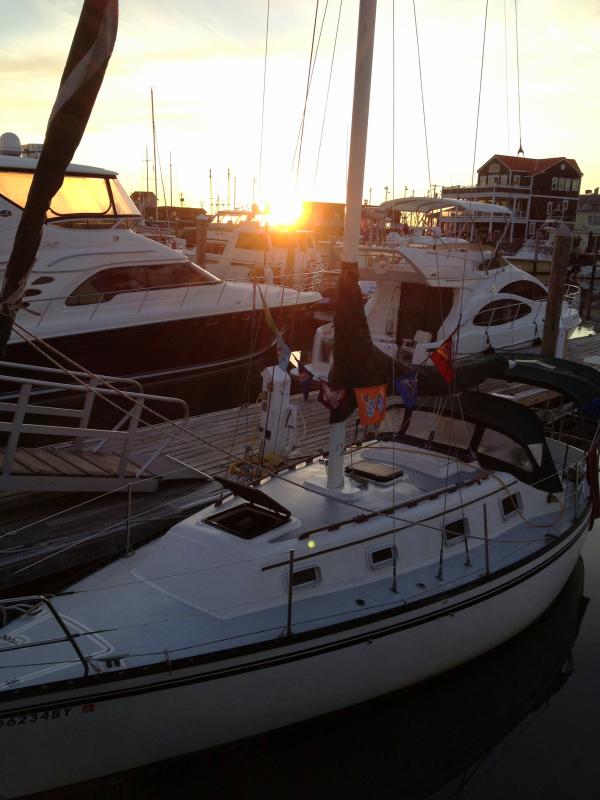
(119, 303)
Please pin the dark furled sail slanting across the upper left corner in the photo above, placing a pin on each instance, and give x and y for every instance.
(90, 53)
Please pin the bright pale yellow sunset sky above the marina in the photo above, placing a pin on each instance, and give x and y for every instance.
(205, 63)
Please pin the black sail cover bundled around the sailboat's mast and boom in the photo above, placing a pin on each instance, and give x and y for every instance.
(358, 362)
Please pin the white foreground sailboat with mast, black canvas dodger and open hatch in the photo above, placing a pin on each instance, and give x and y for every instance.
(326, 585)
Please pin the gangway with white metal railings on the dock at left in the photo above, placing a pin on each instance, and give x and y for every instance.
(80, 460)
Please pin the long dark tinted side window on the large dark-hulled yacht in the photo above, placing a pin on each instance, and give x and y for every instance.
(104, 285)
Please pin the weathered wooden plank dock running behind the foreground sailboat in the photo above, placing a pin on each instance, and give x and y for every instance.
(212, 444)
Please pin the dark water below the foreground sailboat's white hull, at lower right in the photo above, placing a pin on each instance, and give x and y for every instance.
(521, 722)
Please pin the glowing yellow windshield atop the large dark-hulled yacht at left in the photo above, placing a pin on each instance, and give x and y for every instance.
(86, 195)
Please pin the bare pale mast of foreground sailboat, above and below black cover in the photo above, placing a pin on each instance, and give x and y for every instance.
(354, 194)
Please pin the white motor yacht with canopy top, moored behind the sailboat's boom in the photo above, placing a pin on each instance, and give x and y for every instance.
(428, 287)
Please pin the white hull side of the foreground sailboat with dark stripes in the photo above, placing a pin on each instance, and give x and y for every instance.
(98, 726)
